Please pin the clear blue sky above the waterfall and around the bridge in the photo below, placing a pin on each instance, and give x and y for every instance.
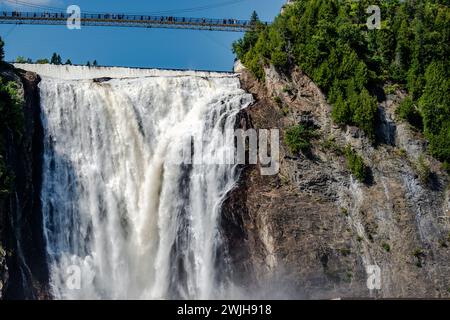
(160, 48)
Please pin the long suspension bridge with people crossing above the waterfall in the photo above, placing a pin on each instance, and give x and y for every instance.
(126, 20)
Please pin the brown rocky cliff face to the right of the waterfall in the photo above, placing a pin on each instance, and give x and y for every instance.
(312, 230)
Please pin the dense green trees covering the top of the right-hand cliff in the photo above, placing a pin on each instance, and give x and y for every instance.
(330, 42)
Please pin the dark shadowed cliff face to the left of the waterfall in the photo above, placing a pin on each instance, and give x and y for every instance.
(23, 271)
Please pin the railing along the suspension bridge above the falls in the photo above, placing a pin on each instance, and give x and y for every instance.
(114, 17)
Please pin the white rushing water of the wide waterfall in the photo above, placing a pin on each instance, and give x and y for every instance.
(116, 211)
